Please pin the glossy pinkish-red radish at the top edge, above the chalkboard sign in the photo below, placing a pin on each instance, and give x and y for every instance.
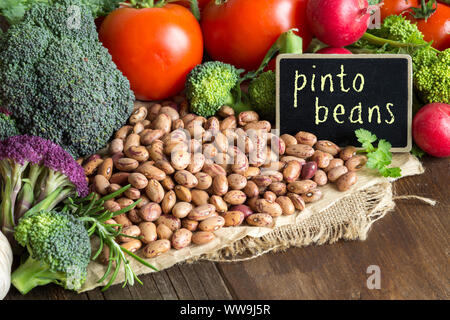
(338, 23)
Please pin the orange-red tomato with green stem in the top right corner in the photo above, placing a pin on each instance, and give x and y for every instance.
(437, 27)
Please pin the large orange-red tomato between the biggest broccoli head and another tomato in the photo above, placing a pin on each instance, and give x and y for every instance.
(155, 48)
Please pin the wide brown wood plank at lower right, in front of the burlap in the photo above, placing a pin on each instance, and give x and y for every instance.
(409, 245)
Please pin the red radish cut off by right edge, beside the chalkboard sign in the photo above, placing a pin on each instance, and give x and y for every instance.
(431, 129)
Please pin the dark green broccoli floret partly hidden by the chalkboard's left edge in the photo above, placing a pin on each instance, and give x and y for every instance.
(262, 94)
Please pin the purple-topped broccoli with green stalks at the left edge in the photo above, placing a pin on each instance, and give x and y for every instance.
(35, 174)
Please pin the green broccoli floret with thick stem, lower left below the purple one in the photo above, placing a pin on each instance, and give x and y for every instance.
(59, 249)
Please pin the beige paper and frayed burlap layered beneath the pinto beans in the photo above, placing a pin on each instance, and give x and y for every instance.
(339, 215)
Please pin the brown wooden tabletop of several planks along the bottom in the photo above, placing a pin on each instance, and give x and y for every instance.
(410, 245)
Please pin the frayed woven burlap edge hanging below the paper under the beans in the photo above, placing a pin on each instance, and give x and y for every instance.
(321, 228)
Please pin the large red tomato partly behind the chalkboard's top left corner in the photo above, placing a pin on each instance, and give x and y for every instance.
(240, 32)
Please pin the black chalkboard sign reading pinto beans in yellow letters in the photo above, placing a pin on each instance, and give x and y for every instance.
(333, 95)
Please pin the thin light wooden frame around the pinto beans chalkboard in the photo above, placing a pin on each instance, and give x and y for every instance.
(352, 56)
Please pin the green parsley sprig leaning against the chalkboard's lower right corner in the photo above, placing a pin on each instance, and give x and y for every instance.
(379, 158)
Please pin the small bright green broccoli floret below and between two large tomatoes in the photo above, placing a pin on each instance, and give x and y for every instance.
(209, 85)
